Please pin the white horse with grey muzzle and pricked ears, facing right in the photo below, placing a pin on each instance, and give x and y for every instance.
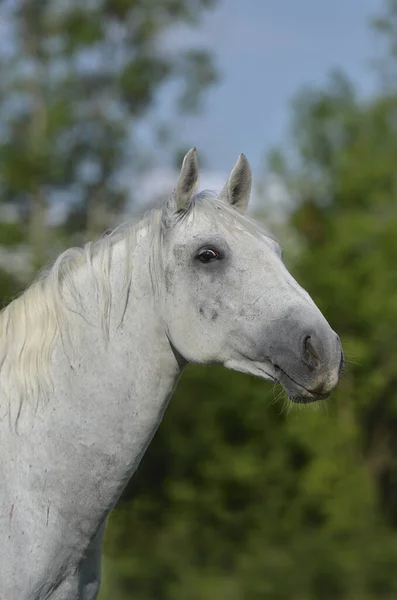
(90, 355)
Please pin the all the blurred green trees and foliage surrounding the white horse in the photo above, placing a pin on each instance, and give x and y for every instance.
(239, 496)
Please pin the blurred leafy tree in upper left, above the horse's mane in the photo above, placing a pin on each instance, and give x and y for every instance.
(76, 79)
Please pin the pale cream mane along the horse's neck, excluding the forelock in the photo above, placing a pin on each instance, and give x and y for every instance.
(30, 324)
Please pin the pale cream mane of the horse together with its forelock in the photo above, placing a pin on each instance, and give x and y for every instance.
(31, 323)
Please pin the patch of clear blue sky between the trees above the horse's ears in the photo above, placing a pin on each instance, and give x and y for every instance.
(265, 51)
